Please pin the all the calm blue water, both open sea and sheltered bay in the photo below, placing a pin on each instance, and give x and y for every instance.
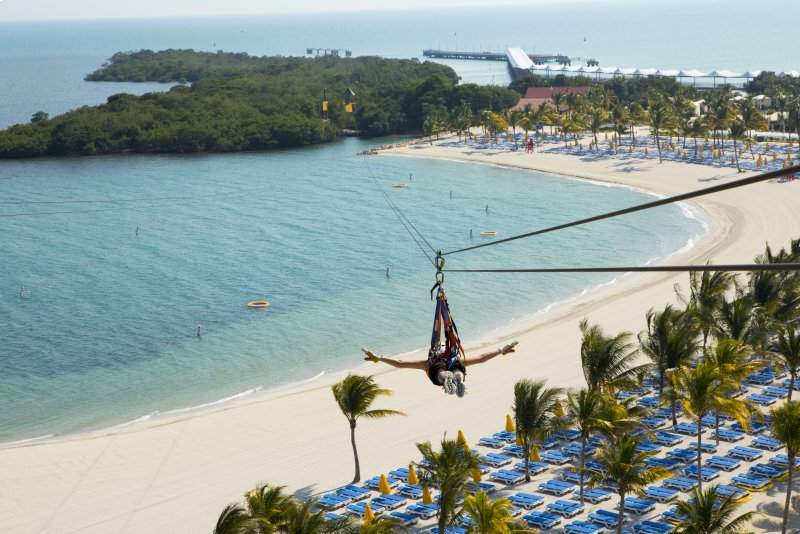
(105, 330)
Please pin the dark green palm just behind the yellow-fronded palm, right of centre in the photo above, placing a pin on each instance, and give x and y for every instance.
(670, 342)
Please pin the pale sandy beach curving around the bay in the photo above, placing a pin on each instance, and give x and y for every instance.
(174, 475)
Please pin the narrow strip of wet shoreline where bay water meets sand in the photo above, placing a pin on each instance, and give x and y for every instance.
(511, 327)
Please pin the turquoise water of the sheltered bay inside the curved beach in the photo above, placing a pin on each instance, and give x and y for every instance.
(106, 331)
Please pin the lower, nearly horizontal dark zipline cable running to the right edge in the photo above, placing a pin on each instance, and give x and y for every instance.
(739, 267)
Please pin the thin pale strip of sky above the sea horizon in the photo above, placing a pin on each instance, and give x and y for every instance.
(14, 10)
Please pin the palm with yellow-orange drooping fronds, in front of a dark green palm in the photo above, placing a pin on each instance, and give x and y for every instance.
(702, 390)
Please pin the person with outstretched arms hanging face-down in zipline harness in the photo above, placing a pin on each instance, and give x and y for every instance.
(446, 365)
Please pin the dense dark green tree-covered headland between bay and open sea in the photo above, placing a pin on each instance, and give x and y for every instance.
(238, 102)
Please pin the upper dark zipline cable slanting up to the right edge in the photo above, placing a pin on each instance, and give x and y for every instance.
(648, 205)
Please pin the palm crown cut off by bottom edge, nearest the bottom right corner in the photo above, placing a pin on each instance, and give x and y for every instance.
(708, 512)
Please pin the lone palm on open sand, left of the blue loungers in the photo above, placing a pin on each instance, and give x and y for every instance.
(354, 395)
